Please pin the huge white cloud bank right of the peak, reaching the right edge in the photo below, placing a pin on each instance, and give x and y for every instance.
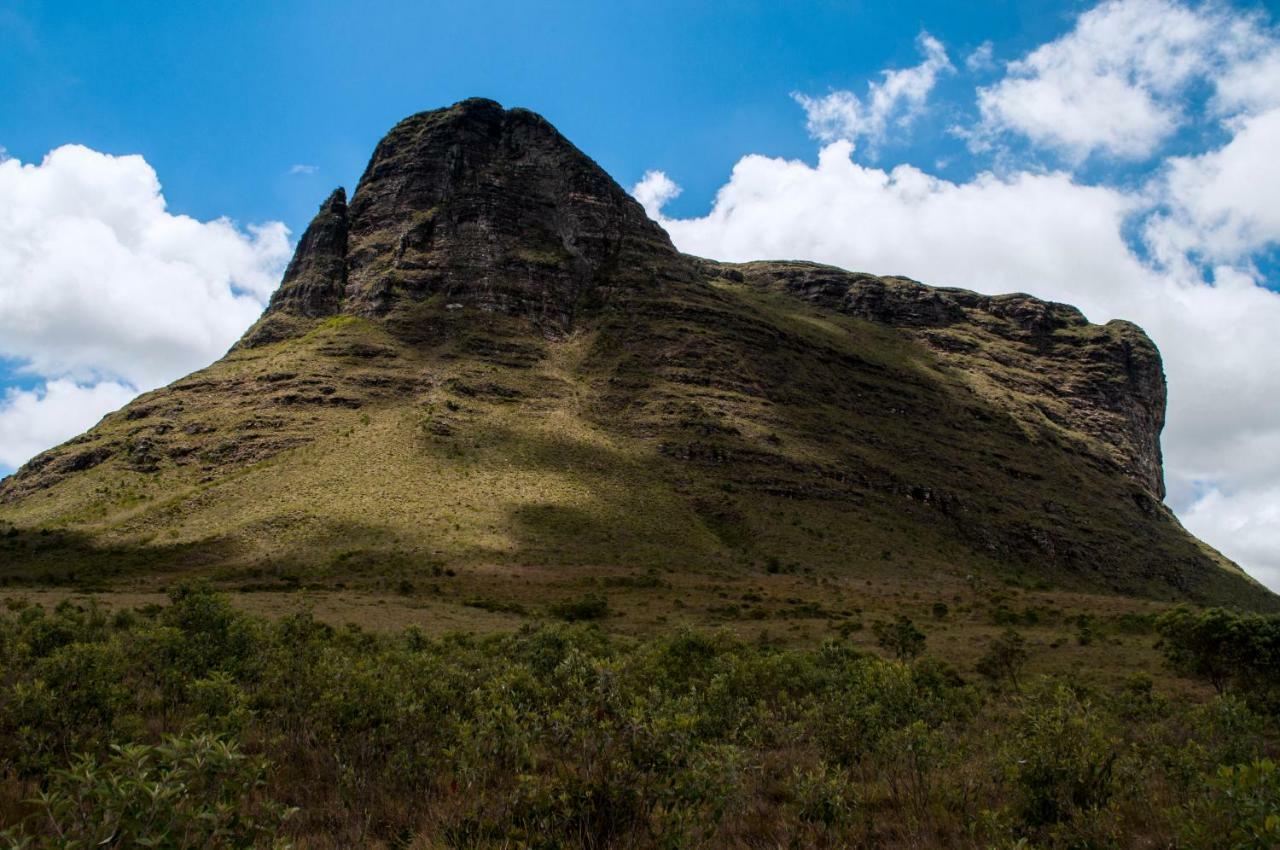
(1177, 249)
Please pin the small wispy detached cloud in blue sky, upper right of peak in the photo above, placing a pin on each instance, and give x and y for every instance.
(897, 99)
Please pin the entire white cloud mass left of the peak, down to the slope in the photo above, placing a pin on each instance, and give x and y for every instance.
(106, 294)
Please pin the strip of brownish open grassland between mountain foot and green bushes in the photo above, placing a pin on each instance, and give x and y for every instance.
(787, 610)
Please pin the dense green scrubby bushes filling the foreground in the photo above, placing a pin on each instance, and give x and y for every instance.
(195, 725)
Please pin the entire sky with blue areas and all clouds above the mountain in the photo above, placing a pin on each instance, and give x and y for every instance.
(158, 159)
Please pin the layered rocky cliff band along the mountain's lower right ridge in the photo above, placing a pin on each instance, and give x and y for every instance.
(1101, 381)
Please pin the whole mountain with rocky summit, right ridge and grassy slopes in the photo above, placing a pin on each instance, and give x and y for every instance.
(491, 357)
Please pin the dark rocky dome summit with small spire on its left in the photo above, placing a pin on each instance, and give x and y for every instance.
(476, 205)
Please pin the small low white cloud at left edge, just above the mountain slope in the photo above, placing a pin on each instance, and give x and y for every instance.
(33, 422)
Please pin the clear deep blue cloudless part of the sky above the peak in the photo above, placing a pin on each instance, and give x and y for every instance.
(223, 99)
